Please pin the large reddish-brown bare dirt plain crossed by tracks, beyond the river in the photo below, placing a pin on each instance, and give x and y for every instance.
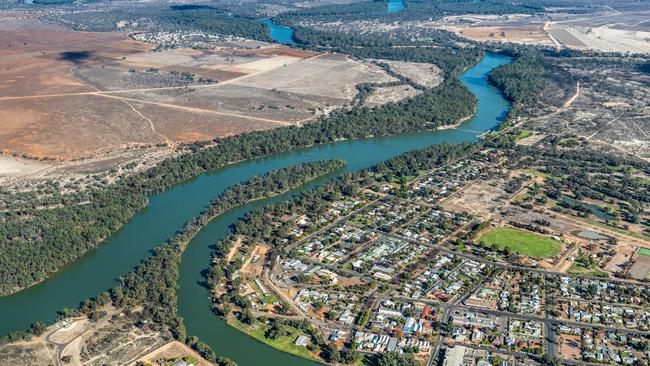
(68, 95)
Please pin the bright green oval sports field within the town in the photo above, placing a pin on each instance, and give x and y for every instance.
(521, 242)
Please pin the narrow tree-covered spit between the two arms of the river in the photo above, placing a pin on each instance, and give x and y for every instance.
(152, 284)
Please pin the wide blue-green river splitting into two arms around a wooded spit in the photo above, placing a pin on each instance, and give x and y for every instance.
(169, 210)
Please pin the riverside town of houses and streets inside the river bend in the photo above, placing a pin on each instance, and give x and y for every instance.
(449, 270)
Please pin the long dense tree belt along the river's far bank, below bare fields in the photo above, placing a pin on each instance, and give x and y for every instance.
(34, 243)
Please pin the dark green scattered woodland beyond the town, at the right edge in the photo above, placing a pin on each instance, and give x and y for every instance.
(576, 175)
